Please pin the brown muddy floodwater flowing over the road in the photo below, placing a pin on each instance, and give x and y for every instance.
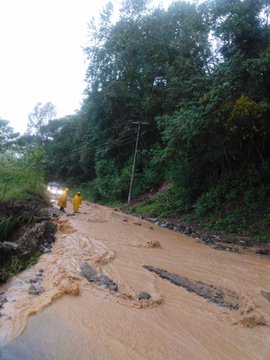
(77, 319)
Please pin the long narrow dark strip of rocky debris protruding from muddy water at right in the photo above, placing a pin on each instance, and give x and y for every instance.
(218, 296)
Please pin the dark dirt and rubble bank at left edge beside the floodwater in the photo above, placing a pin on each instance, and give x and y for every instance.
(25, 229)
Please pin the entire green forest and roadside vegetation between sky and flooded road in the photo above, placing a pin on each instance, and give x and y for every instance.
(190, 84)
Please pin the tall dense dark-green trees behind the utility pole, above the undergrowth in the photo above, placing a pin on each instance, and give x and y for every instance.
(199, 75)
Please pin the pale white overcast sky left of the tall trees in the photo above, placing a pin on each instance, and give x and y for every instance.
(41, 55)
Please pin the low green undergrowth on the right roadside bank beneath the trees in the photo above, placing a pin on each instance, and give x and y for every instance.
(230, 207)
